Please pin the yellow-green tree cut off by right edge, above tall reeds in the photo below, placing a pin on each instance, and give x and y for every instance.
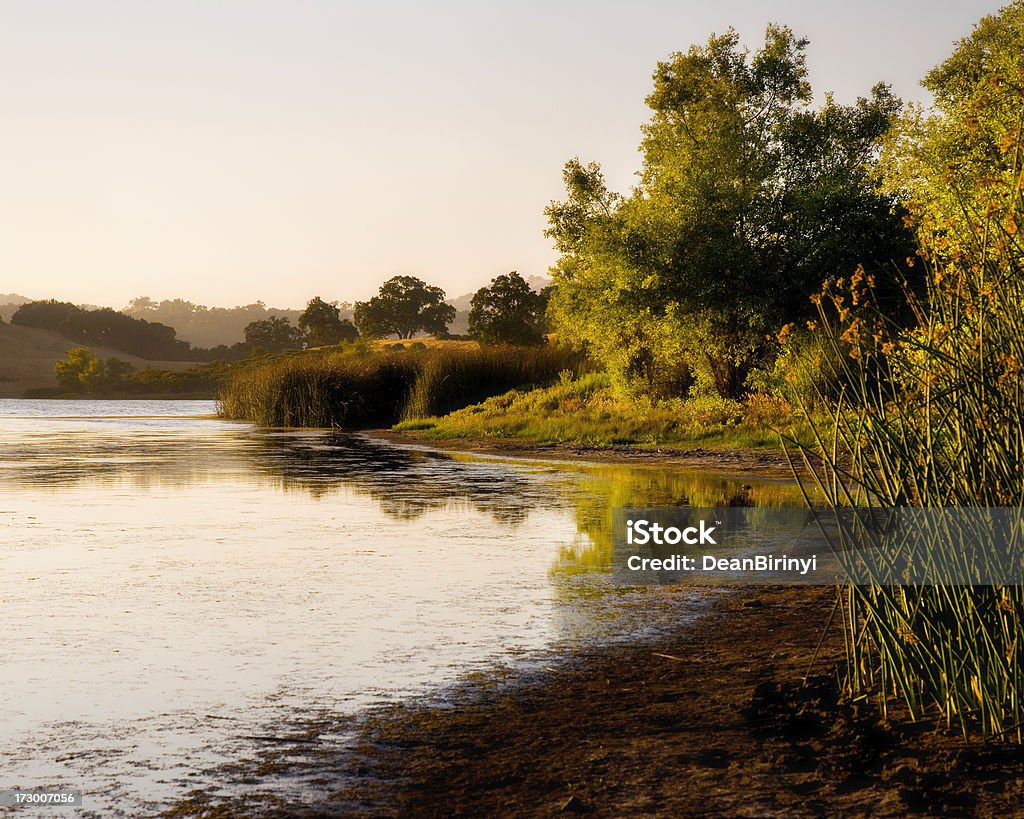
(958, 166)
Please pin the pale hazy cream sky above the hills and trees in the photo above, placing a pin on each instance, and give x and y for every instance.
(229, 151)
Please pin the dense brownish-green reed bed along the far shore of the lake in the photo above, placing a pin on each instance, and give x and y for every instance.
(351, 392)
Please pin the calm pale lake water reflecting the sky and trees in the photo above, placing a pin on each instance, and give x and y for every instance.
(175, 586)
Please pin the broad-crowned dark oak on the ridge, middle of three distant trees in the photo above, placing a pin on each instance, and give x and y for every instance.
(404, 307)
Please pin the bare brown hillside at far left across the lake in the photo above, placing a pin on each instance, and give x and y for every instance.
(28, 356)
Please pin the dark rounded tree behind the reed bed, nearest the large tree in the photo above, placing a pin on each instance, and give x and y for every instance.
(507, 313)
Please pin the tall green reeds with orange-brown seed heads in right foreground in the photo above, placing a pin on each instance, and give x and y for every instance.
(934, 417)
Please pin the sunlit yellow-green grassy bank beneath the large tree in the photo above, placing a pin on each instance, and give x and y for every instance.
(588, 411)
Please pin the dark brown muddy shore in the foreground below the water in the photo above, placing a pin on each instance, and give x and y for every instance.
(714, 720)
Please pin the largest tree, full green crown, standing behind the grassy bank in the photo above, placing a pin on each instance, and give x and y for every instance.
(748, 200)
